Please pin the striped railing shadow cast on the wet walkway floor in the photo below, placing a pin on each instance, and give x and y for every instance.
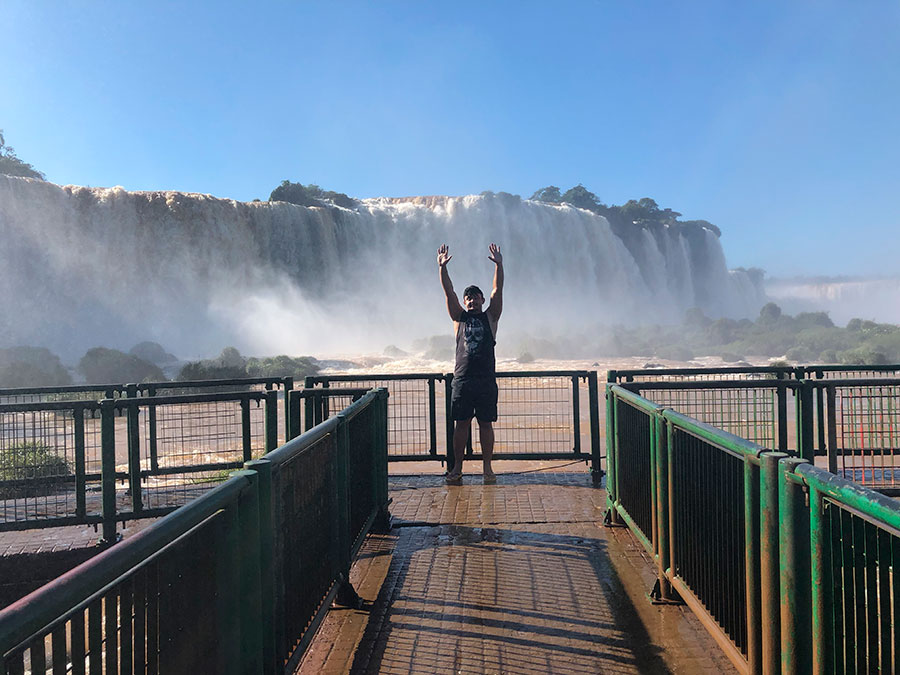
(514, 635)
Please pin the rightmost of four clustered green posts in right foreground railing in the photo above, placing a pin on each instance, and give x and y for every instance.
(821, 586)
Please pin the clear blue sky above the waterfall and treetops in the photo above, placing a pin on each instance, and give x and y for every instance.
(777, 121)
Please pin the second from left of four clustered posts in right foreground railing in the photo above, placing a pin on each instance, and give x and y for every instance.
(769, 565)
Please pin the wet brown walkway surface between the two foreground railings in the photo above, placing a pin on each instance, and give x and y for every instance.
(518, 577)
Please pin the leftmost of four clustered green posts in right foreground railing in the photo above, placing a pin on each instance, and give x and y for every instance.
(752, 563)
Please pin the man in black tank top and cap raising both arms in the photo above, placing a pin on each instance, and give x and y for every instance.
(474, 391)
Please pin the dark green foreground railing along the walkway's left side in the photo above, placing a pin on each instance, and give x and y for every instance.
(236, 581)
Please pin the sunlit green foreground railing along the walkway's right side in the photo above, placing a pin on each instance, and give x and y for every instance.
(789, 567)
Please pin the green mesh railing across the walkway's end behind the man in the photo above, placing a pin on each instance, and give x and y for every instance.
(542, 414)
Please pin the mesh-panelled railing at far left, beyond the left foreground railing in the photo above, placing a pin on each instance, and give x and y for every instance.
(107, 461)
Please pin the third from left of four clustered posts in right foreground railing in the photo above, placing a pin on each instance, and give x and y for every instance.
(793, 549)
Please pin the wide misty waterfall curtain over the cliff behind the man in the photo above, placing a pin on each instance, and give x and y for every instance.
(81, 267)
